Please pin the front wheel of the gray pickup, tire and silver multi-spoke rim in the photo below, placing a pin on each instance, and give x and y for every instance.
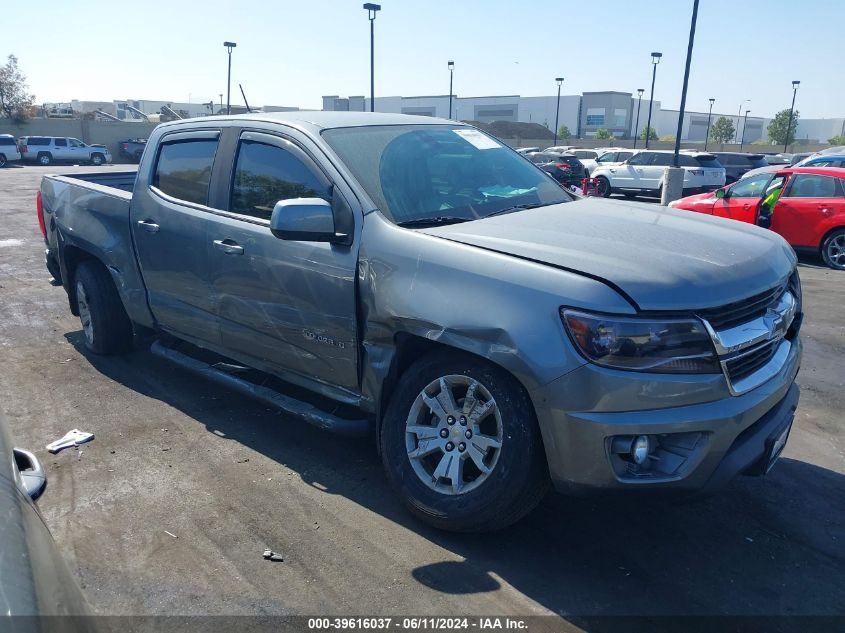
(517, 478)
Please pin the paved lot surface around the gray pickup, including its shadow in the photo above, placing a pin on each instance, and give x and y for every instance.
(228, 477)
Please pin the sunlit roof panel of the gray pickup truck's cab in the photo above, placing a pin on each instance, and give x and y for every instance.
(318, 119)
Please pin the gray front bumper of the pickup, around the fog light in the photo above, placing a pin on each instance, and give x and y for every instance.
(710, 435)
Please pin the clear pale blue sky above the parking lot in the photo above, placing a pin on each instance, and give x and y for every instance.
(292, 53)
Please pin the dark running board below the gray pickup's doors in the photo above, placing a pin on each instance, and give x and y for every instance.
(303, 410)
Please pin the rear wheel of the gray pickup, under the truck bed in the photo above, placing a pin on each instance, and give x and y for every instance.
(106, 326)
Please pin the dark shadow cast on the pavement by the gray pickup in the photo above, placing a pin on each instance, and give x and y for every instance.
(770, 546)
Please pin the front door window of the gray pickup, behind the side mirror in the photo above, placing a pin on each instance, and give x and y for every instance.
(265, 174)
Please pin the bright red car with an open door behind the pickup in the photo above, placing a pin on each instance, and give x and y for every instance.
(809, 214)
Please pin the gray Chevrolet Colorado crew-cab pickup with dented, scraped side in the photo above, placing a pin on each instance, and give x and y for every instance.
(414, 278)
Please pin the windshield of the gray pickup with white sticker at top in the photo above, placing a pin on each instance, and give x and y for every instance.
(415, 173)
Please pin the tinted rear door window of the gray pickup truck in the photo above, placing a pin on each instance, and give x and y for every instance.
(183, 169)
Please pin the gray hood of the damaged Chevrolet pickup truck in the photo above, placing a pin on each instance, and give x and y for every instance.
(661, 258)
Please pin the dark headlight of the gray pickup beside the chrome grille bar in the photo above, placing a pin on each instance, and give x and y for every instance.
(669, 346)
